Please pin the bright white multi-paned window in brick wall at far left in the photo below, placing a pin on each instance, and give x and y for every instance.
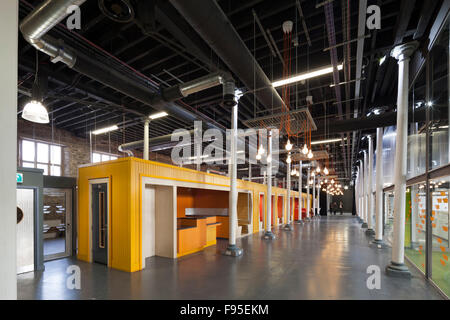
(43, 156)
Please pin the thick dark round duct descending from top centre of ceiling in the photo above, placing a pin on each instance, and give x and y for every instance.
(208, 19)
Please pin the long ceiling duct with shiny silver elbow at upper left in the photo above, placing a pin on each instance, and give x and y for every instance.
(47, 15)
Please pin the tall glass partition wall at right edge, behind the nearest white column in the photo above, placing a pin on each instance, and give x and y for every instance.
(428, 169)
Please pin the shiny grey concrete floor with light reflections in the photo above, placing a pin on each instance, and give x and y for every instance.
(323, 259)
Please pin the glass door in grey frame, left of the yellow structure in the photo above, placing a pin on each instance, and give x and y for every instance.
(57, 223)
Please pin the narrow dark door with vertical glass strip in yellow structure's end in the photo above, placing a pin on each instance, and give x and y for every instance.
(100, 223)
